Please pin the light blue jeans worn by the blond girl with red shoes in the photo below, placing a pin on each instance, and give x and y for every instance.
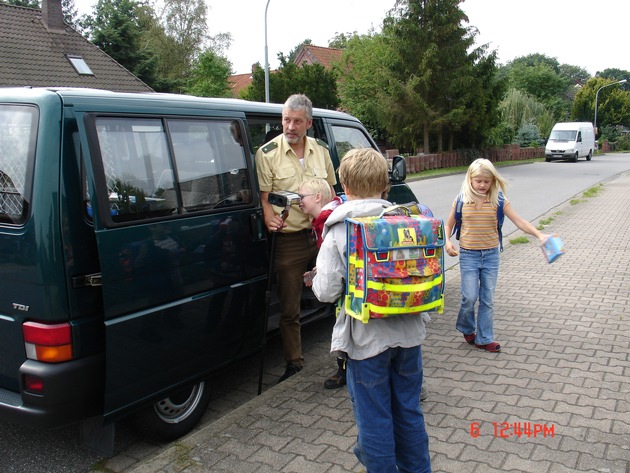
(479, 271)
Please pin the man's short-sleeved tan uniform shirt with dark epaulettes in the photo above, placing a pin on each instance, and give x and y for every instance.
(279, 169)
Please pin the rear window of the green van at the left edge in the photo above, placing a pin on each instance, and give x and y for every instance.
(18, 132)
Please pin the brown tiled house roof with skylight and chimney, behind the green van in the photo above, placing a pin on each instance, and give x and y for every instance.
(34, 50)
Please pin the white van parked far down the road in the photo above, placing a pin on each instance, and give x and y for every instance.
(571, 140)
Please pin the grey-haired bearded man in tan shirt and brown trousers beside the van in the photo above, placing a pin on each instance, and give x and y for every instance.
(282, 164)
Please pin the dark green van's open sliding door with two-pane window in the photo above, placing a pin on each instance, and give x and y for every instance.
(181, 248)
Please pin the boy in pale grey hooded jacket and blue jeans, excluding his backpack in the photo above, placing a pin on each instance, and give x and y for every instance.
(384, 366)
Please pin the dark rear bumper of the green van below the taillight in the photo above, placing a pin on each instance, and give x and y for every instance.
(73, 391)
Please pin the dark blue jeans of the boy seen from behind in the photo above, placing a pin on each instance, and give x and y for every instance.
(385, 395)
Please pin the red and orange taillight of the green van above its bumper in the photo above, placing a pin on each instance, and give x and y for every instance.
(48, 343)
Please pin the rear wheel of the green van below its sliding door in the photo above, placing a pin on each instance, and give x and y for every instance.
(175, 415)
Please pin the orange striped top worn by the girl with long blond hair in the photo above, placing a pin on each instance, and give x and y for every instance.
(479, 227)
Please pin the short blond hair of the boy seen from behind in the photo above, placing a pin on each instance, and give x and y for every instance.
(363, 172)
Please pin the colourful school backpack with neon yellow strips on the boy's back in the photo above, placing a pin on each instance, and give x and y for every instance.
(395, 265)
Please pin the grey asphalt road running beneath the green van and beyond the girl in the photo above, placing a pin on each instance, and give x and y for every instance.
(535, 189)
